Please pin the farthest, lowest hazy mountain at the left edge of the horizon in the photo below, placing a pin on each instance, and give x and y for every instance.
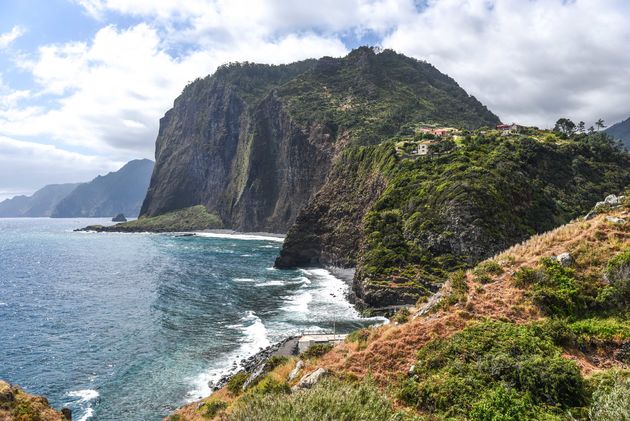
(41, 203)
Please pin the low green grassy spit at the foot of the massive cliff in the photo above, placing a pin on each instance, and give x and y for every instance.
(195, 218)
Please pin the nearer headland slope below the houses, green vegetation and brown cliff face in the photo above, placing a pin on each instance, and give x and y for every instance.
(406, 222)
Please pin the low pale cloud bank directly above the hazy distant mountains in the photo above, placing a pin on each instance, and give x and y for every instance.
(28, 166)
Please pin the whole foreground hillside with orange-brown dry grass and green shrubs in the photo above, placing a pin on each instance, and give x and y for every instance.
(520, 336)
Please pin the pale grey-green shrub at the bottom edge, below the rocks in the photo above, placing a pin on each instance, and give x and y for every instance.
(330, 399)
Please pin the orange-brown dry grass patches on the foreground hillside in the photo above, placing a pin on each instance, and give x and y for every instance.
(391, 350)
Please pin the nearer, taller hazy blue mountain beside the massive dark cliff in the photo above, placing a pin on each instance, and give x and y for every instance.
(117, 192)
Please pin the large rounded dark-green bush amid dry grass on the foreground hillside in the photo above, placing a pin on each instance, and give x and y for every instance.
(491, 368)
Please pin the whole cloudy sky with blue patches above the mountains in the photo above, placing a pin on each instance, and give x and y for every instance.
(83, 83)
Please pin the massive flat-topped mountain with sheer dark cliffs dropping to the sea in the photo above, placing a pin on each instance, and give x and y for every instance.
(254, 143)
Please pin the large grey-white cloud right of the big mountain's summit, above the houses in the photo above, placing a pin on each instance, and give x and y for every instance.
(529, 61)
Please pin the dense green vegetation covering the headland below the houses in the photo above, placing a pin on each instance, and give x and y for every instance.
(438, 210)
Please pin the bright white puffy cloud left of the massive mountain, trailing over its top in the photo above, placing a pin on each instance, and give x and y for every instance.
(110, 92)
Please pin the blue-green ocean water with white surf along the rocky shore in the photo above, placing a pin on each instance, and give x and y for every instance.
(131, 326)
